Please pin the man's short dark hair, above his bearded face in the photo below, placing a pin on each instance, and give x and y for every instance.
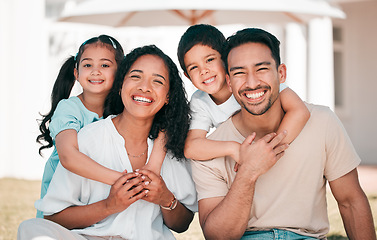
(252, 35)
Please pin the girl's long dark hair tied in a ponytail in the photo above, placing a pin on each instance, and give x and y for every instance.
(66, 79)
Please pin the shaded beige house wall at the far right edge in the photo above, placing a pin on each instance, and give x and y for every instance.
(359, 111)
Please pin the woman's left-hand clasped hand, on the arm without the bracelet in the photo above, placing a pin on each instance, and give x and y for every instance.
(124, 192)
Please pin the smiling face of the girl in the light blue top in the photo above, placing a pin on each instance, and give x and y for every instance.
(96, 69)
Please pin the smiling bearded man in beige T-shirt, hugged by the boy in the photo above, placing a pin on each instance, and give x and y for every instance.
(286, 200)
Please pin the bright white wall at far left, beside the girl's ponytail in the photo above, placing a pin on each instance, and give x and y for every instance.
(23, 48)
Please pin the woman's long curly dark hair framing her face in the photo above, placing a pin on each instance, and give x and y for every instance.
(173, 118)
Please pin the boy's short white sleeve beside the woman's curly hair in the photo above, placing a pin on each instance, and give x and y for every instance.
(199, 115)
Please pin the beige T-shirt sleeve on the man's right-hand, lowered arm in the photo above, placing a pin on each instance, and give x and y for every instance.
(341, 154)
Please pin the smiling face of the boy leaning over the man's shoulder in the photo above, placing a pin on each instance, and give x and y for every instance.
(205, 68)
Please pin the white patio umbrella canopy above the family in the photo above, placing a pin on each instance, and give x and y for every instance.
(118, 13)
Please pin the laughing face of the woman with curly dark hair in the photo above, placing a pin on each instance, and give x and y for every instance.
(145, 87)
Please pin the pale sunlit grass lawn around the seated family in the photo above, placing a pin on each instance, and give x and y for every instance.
(17, 204)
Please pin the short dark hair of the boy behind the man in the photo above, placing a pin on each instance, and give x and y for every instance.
(203, 34)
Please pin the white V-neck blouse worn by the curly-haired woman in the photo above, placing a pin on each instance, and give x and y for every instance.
(142, 220)
